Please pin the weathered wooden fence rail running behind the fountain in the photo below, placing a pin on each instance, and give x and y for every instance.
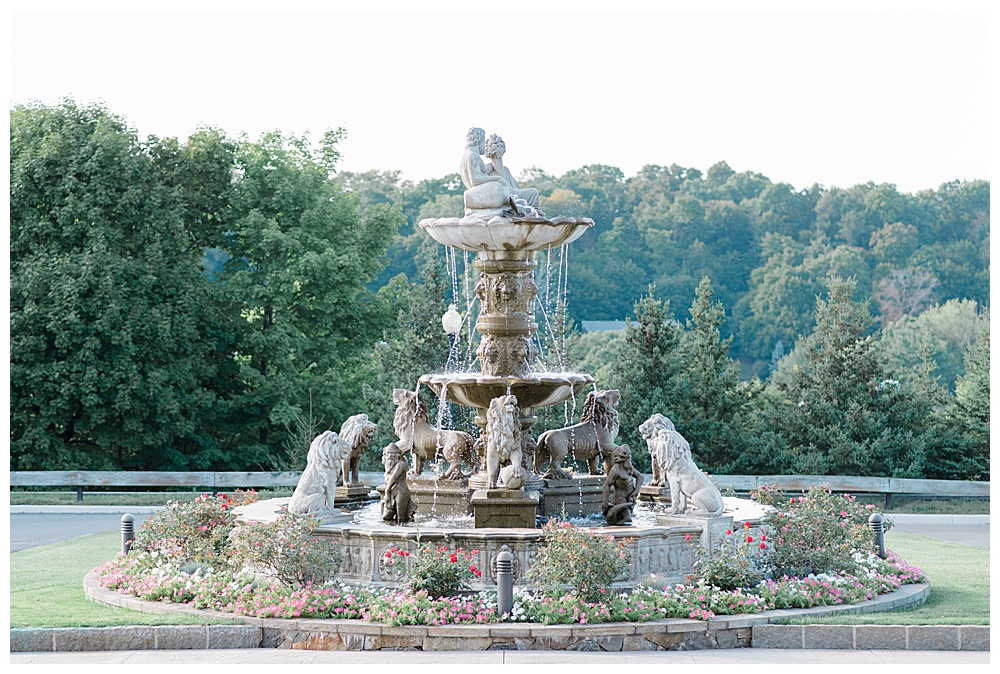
(220, 481)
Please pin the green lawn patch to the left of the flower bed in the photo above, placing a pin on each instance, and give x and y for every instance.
(46, 587)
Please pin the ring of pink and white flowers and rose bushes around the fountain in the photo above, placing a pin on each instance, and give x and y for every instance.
(166, 566)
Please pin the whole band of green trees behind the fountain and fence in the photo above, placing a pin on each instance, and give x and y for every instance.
(211, 303)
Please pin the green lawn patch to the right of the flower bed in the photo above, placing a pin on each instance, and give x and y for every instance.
(960, 585)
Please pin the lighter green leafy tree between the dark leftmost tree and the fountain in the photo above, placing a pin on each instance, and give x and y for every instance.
(300, 253)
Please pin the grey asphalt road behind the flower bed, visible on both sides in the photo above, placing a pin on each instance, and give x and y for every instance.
(31, 526)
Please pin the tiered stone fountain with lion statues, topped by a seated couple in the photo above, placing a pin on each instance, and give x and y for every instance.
(505, 493)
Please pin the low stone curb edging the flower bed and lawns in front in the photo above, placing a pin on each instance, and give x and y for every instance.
(742, 631)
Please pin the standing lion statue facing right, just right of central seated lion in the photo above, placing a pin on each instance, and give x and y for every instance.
(593, 437)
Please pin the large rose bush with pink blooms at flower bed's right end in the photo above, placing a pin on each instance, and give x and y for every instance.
(819, 532)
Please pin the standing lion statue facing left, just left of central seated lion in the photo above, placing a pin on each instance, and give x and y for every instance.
(417, 435)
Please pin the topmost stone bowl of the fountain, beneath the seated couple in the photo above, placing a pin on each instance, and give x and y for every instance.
(475, 233)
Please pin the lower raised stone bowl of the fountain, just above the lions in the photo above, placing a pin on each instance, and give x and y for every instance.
(536, 390)
